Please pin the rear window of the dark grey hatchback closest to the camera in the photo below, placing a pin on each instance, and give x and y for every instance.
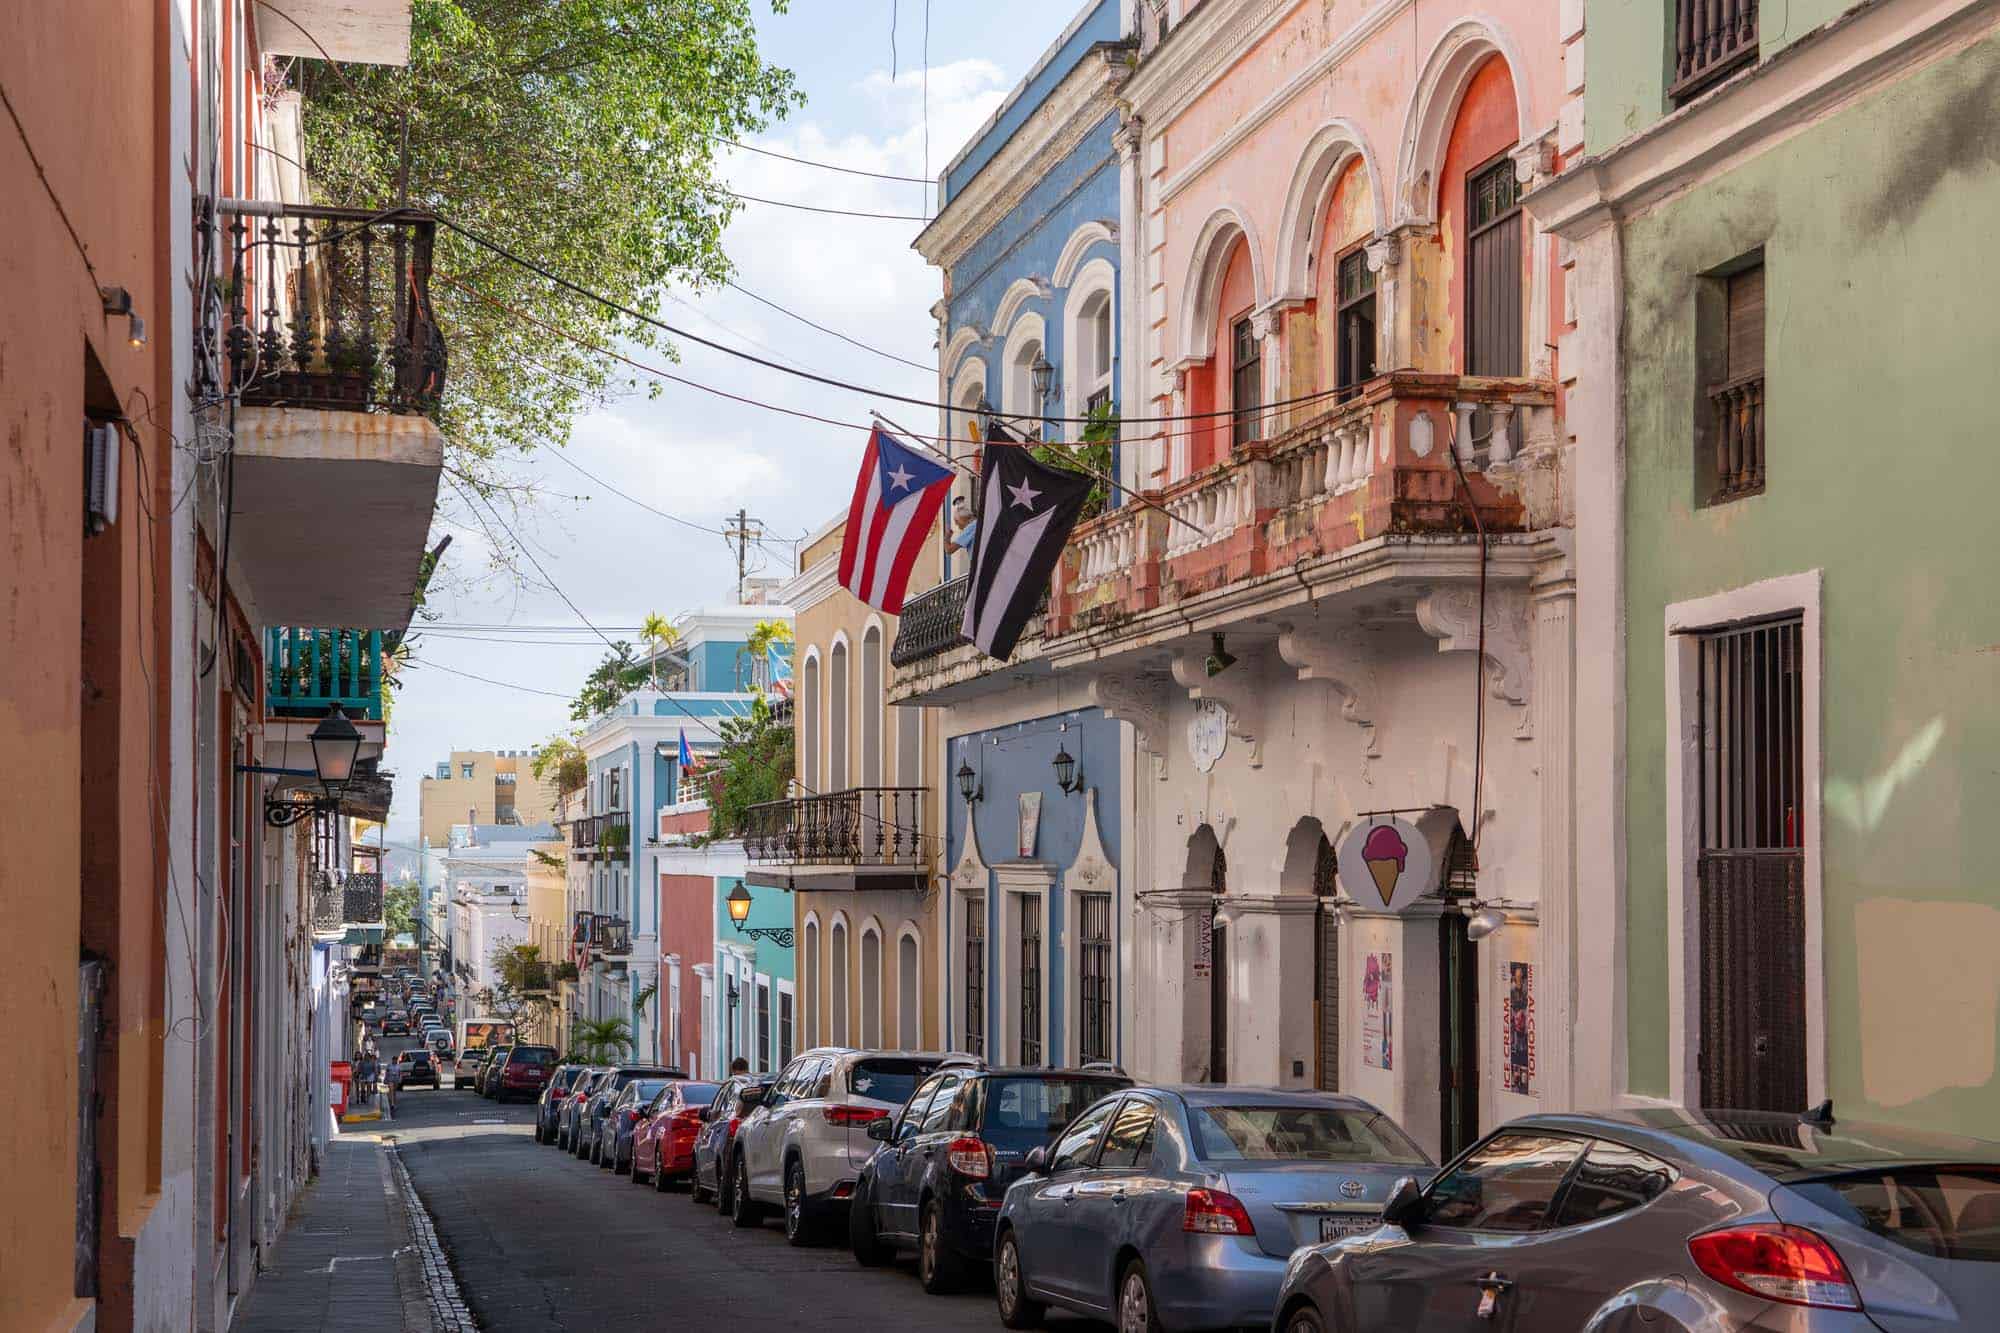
(1941, 1212)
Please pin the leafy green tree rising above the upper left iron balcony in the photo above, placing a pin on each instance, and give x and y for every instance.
(577, 133)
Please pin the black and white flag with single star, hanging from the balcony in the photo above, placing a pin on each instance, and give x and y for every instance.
(1027, 513)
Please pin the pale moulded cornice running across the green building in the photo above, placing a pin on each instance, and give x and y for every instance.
(1761, 109)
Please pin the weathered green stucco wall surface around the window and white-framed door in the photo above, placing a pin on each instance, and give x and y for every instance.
(1881, 473)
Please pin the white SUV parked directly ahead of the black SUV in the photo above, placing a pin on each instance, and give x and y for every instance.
(807, 1142)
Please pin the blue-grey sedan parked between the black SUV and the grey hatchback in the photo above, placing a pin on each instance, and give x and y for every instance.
(1181, 1208)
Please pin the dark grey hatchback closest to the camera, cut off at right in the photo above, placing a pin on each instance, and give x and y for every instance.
(1677, 1220)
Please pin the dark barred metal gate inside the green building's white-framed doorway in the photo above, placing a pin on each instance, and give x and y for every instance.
(1751, 870)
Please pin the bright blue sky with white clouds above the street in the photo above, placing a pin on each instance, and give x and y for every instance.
(699, 457)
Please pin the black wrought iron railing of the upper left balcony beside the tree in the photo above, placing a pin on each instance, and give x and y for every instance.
(325, 309)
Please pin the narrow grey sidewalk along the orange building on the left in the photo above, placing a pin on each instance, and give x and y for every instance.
(349, 1258)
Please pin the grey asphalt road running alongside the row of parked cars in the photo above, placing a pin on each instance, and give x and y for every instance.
(541, 1240)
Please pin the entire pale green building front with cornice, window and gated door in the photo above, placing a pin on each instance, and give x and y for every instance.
(1785, 323)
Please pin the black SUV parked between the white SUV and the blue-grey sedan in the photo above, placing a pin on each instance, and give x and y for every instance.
(947, 1160)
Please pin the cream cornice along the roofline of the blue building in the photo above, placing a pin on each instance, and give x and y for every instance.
(1057, 127)
